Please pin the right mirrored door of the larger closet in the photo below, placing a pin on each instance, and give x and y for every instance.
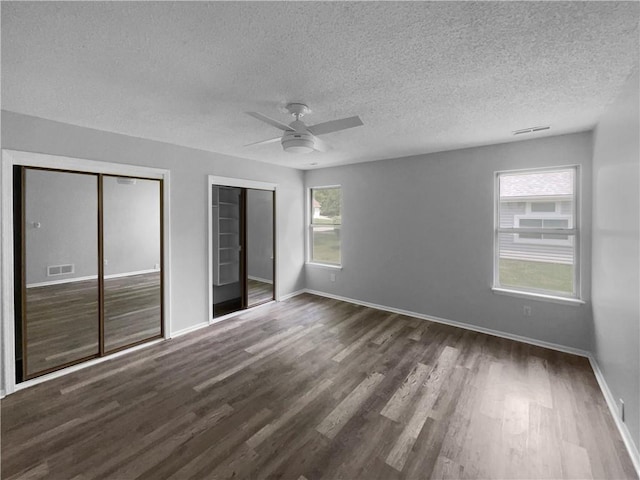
(132, 268)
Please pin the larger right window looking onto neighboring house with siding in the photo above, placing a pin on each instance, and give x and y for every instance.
(536, 232)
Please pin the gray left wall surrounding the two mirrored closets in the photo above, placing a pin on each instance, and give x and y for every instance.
(189, 169)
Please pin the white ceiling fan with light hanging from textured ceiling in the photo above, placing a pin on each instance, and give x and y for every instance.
(297, 136)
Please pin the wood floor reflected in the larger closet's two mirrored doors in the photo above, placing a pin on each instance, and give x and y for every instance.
(63, 325)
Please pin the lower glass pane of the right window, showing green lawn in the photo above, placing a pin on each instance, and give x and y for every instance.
(535, 266)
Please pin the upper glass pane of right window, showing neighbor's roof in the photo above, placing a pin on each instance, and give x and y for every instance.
(517, 190)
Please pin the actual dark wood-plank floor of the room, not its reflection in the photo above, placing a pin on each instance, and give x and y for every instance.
(314, 388)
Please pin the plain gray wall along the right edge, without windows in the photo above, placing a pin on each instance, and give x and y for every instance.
(616, 258)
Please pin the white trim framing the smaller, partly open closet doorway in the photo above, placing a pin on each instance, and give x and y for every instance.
(240, 183)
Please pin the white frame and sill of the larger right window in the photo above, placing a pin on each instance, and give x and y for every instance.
(573, 232)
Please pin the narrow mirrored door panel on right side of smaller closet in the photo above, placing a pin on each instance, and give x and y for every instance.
(259, 246)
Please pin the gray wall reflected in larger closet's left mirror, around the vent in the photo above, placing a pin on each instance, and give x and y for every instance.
(65, 205)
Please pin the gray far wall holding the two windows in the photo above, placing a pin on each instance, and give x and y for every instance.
(418, 235)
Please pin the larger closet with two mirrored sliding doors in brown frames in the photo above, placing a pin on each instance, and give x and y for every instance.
(88, 255)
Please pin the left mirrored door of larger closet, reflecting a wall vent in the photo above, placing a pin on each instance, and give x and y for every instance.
(61, 321)
